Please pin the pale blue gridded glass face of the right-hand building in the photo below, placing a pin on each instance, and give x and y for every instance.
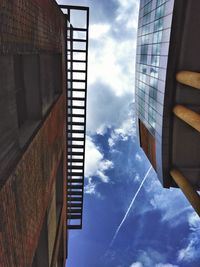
(154, 27)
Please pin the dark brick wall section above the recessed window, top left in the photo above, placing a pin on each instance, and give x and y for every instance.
(34, 25)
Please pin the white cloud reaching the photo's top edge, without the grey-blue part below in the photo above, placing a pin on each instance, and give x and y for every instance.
(112, 55)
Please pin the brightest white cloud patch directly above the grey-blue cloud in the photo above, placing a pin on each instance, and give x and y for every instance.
(110, 64)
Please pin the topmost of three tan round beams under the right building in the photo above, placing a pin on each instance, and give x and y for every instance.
(189, 78)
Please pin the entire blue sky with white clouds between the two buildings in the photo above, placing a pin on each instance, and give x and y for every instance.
(161, 228)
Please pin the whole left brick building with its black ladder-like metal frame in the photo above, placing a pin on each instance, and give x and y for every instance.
(36, 124)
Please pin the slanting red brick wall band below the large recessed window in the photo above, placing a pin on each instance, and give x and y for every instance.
(26, 194)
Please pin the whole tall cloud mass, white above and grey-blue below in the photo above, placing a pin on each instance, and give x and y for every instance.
(111, 73)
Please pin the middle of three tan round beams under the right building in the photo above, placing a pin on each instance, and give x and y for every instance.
(187, 115)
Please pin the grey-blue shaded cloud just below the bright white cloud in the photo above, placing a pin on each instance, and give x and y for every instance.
(106, 110)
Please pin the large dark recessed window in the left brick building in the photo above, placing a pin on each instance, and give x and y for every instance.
(38, 83)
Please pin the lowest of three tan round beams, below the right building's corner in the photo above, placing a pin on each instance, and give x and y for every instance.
(188, 190)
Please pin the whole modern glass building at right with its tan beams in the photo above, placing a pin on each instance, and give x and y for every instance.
(167, 92)
